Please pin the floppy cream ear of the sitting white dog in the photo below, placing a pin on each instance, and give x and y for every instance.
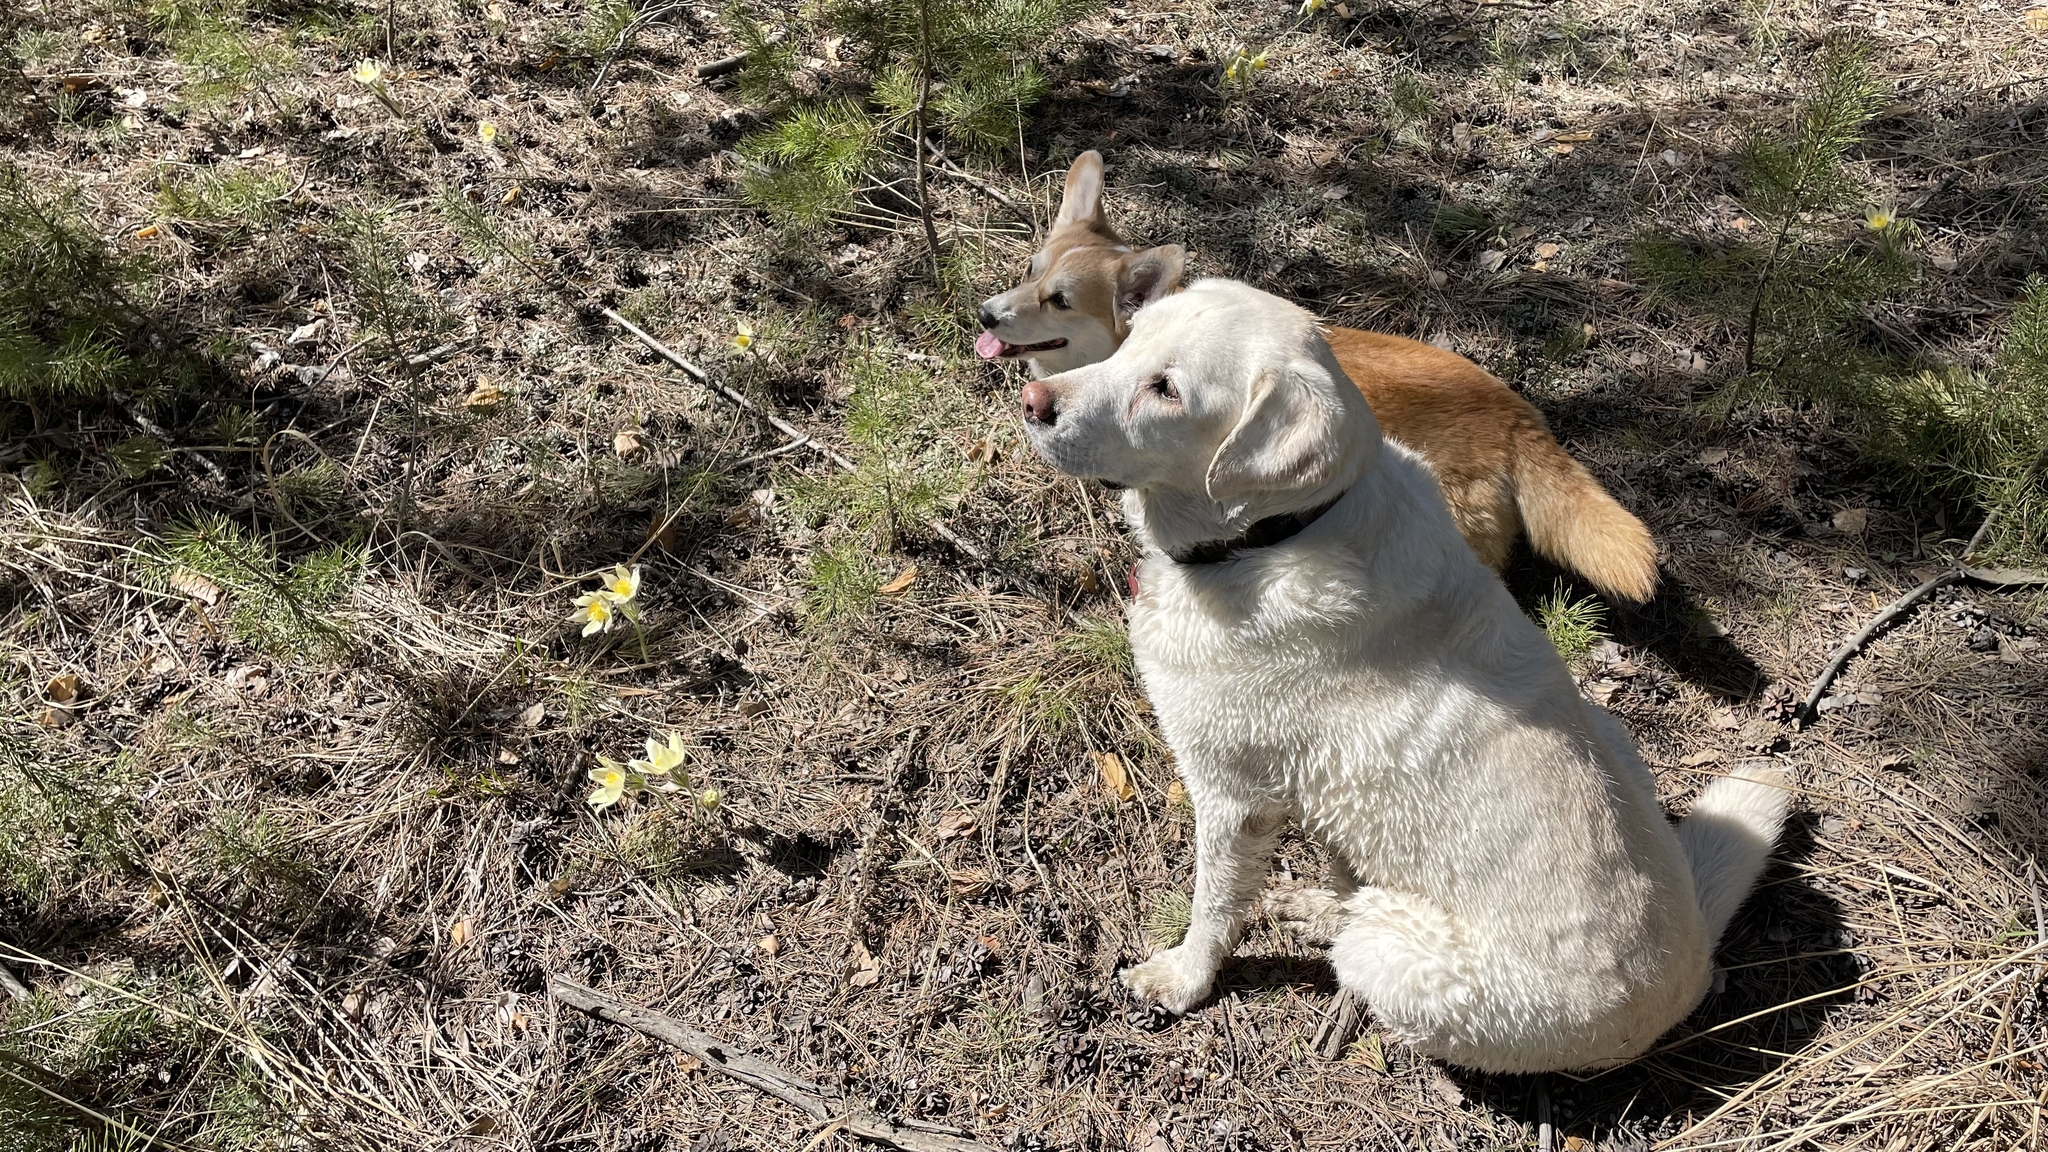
(1287, 440)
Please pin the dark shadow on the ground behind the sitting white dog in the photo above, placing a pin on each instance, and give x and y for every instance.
(1783, 966)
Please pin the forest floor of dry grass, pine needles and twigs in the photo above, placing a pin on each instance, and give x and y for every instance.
(294, 800)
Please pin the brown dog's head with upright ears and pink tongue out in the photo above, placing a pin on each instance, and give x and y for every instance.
(1074, 306)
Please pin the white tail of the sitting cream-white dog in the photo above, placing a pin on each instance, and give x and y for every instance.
(1730, 835)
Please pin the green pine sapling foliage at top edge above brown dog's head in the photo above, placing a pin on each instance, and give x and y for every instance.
(964, 73)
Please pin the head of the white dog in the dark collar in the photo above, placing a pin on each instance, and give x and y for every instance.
(1224, 407)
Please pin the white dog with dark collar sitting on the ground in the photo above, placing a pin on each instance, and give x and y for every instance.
(1322, 645)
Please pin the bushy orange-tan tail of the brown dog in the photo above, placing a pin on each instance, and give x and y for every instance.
(1576, 524)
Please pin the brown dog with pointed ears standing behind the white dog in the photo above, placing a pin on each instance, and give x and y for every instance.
(1498, 464)
